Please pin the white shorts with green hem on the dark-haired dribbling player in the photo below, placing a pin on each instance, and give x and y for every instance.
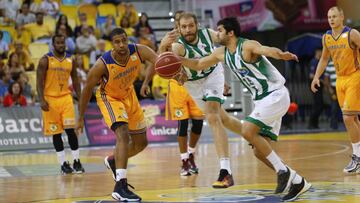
(269, 111)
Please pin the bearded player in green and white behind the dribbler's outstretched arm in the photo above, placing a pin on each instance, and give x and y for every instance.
(206, 86)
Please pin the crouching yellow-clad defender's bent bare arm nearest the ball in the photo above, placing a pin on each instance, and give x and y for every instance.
(147, 55)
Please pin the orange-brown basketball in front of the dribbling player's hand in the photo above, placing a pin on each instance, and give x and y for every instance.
(167, 65)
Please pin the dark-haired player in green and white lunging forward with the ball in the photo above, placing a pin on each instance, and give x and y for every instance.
(247, 60)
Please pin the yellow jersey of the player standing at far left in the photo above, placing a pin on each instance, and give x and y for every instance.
(57, 75)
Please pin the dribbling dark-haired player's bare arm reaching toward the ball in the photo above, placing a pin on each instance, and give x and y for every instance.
(205, 62)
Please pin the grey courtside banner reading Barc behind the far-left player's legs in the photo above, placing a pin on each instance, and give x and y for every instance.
(21, 128)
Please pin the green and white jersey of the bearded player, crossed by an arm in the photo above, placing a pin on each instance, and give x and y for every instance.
(202, 48)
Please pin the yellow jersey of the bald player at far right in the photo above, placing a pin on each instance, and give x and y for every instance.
(344, 56)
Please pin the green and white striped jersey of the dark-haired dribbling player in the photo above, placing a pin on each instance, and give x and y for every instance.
(260, 78)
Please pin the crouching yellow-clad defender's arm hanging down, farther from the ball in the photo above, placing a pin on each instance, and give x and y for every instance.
(94, 75)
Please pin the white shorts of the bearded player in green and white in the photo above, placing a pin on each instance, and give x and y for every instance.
(210, 88)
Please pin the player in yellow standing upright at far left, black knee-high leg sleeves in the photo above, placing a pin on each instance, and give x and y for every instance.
(56, 102)
